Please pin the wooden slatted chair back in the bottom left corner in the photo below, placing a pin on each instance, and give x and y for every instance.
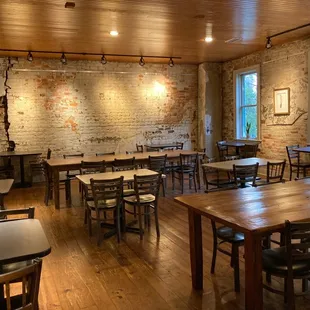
(28, 297)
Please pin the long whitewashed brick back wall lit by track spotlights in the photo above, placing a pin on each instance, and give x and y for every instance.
(94, 108)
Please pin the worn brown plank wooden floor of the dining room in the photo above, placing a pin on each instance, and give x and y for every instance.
(149, 274)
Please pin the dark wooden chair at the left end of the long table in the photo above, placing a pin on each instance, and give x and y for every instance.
(49, 185)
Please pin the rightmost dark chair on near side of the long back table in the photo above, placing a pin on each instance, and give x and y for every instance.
(188, 167)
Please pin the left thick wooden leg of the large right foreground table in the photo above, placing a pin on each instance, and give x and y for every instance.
(195, 242)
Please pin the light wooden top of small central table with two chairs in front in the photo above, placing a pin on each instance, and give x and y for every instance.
(128, 175)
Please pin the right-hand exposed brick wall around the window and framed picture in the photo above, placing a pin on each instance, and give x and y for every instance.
(281, 66)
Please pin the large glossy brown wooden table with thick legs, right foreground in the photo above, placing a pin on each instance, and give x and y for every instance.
(253, 211)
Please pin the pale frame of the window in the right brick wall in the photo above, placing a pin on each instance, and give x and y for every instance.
(237, 101)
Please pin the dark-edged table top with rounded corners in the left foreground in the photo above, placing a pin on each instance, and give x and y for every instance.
(22, 240)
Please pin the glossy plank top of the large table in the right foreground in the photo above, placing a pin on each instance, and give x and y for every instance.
(256, 209)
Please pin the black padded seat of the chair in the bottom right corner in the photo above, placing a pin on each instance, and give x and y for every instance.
(274, 262)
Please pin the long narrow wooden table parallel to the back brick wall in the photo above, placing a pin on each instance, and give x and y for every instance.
(60, 164)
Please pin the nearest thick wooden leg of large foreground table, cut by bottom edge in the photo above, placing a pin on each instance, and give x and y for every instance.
(253, 272)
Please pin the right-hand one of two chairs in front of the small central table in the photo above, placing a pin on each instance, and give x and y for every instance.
(146, 197)
